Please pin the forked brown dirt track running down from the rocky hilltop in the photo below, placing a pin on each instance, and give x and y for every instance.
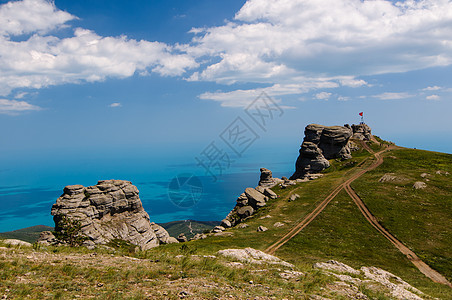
(423, 267)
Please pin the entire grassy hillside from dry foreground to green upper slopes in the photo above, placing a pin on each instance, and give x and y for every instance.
(418, 218)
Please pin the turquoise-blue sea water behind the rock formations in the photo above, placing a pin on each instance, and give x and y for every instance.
(31, 182)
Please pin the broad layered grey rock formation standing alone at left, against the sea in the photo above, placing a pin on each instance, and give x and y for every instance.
(109, 210)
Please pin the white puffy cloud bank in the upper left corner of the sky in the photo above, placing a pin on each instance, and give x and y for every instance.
(44, 59)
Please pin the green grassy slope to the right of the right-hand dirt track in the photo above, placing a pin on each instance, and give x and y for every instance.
(419, 218)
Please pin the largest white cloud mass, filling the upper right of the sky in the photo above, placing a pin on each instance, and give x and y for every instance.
(274, 41)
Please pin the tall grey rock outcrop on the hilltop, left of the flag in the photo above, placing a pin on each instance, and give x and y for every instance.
(320, 144)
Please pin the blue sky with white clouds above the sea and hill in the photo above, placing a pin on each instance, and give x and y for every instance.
(92, 76)
